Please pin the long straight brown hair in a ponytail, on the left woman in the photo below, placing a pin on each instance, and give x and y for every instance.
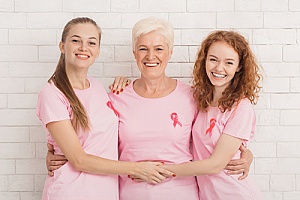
(60, 79)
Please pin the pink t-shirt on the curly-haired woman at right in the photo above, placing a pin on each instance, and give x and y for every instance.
(240, 123)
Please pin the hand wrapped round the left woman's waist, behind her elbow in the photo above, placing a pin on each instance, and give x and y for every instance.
(54, 162)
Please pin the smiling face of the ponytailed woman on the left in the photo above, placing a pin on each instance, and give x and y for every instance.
(81, 46)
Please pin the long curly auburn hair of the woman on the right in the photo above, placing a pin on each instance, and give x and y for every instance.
(245, 83)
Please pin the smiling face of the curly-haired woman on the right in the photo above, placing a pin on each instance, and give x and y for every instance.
(221, 64)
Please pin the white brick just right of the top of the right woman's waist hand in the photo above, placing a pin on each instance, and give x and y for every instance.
(263, 149)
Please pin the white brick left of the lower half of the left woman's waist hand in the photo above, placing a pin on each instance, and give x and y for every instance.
(31, 166)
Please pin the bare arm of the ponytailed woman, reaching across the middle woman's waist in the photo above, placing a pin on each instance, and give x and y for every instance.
(66, 138)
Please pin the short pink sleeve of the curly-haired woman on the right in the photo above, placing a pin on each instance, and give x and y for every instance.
(241, 123)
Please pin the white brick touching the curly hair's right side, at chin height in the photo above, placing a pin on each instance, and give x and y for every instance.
(276, 85)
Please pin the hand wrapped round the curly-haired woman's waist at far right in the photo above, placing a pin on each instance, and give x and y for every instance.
(242, 165)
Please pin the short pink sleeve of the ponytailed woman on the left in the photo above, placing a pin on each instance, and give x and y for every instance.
(52, 105)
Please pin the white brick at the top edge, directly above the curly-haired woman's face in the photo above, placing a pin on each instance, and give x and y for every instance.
(210, 6)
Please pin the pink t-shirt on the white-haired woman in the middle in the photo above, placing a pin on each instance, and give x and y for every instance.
(156, 129)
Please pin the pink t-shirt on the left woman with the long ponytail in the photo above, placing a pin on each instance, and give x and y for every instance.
(101, 140)
